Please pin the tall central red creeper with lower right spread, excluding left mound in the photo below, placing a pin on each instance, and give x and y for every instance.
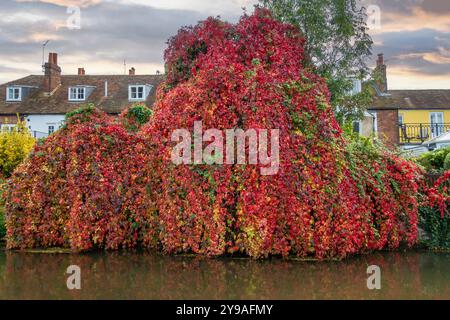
(250, 75)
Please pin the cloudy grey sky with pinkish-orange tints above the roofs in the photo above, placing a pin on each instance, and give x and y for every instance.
(413, 34)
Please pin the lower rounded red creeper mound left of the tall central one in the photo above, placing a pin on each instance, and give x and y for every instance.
(82, 187)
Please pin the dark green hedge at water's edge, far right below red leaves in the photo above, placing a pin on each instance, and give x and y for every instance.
(437, 228)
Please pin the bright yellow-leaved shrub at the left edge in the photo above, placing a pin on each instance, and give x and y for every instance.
(15, 145)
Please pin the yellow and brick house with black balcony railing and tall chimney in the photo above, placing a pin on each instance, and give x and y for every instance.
(408, 118)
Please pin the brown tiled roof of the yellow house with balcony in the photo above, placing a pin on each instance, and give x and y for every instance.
(412, 100)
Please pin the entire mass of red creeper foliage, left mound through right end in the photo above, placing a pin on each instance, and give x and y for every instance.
(93, 184)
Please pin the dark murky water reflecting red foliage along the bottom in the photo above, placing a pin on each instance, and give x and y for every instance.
(410, 275)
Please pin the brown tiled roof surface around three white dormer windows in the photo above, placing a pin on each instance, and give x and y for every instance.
(57, 103)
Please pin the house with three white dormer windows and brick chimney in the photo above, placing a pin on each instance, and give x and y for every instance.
(43, 100)
